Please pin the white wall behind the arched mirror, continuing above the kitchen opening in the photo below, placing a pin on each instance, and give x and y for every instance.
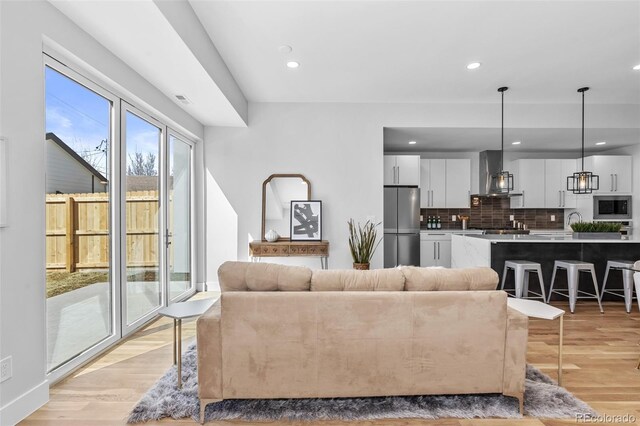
(339, 148)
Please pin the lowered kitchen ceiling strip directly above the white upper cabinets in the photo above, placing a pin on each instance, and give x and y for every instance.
(446, 139)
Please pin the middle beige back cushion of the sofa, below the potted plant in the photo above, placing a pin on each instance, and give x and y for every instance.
(353, 280)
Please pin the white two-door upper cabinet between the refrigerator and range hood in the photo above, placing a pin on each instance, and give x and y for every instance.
(445, 183)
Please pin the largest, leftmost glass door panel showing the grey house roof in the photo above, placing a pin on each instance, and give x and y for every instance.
(80, 125)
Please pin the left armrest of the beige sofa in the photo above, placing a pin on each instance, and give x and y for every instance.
(209, 339)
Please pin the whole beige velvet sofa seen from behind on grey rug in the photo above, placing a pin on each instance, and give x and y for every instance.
(290, 332)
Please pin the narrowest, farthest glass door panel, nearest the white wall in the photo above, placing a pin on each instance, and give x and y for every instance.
(179, 184)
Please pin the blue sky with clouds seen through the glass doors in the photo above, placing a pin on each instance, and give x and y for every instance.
(80, 117)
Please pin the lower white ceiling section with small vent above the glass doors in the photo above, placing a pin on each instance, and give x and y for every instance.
(139, 33)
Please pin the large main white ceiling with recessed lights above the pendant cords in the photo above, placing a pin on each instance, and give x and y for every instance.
(416, 51)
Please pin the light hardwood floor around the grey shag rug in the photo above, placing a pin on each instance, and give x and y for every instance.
(600, 354)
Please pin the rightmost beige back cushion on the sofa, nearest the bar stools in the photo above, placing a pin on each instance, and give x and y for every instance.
(434, 279)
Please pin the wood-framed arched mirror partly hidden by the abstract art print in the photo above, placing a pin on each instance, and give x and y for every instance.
(277, 192)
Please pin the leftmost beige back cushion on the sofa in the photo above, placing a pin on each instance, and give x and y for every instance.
(247, 276)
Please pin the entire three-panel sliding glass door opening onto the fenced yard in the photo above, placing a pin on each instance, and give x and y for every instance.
(119, 217)
